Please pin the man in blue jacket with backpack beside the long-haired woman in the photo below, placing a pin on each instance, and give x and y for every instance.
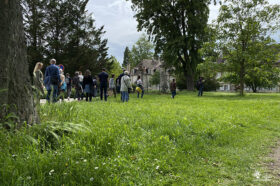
(52, 80)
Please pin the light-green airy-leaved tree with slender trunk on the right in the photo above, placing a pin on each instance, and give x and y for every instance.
(244, 29)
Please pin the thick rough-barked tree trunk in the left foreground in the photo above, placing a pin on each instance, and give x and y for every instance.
(15, 84)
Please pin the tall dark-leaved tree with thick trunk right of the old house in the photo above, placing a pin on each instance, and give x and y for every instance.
(178, 29)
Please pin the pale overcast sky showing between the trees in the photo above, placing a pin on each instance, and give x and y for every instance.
(121, 27)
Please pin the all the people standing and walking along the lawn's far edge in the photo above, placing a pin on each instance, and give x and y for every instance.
(86, 86)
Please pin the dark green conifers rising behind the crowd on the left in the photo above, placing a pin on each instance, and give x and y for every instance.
(65, 31)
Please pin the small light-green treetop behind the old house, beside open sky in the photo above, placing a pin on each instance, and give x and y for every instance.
(143, 49)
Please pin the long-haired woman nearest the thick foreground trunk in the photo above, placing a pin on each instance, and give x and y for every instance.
(39, 77)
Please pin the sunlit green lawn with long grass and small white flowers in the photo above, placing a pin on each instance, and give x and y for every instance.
(216, 139)
